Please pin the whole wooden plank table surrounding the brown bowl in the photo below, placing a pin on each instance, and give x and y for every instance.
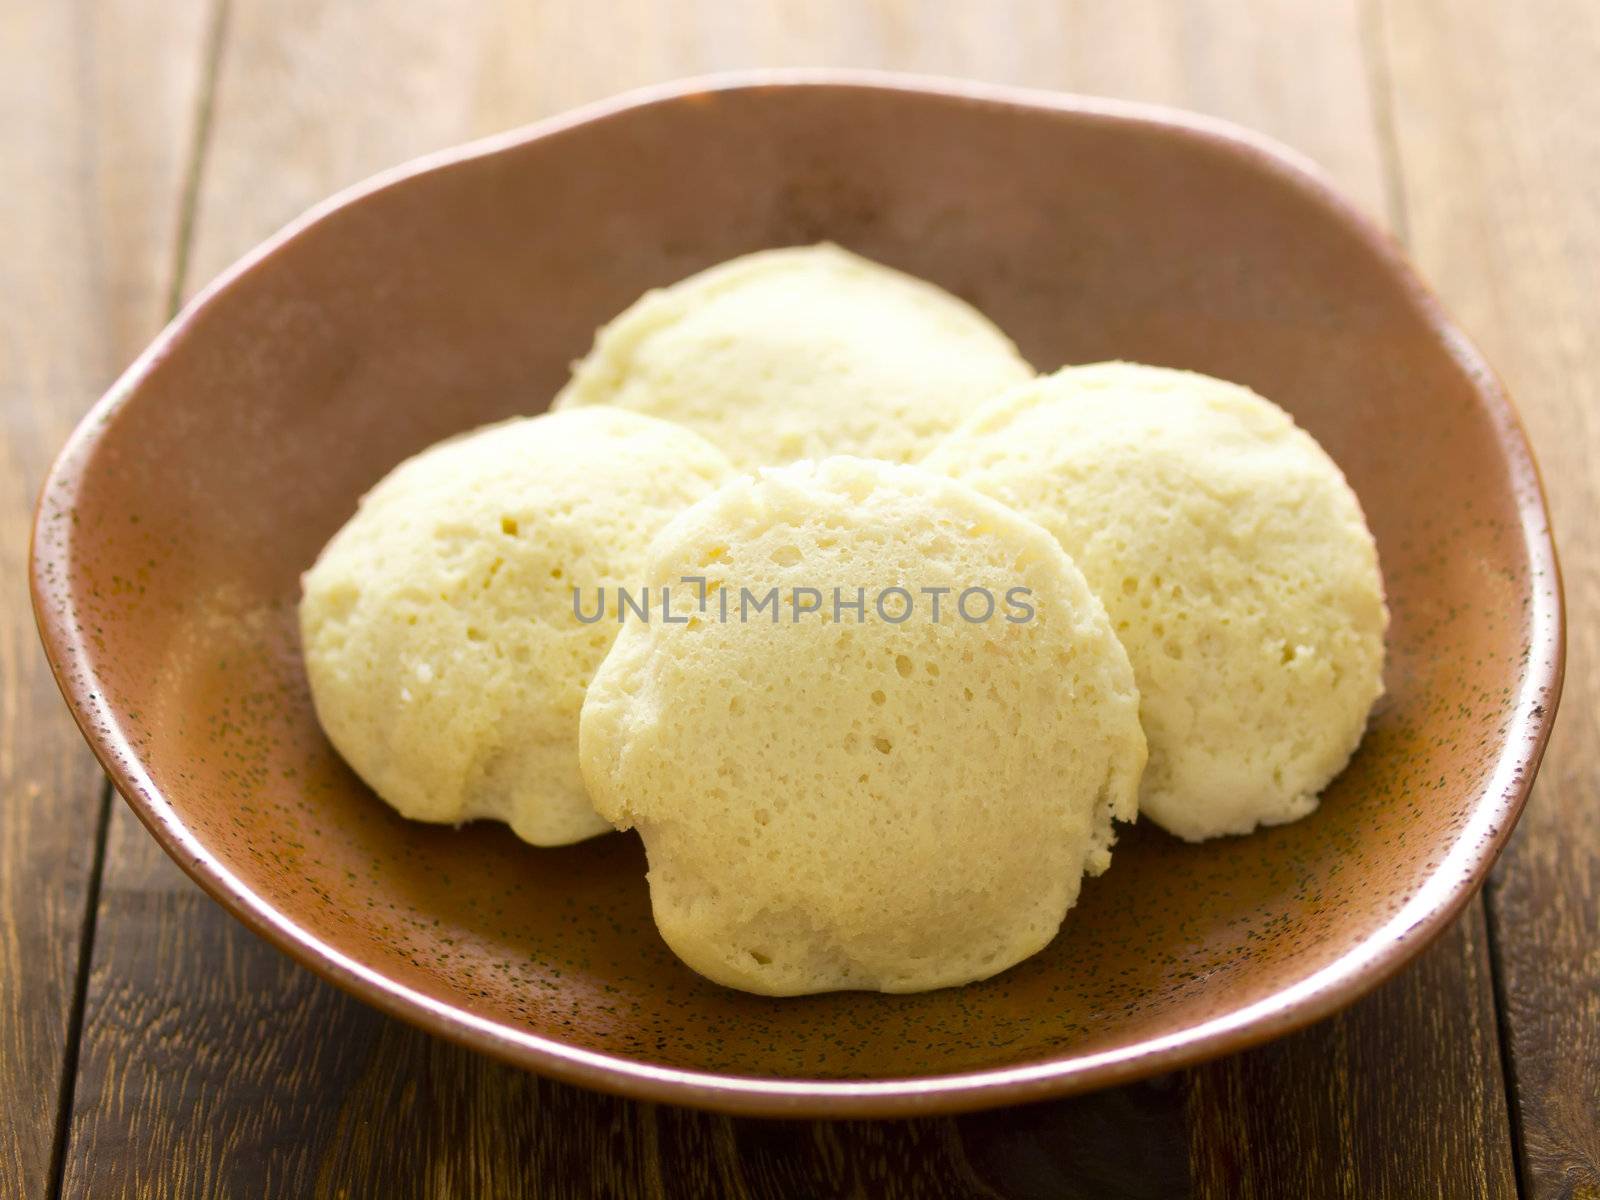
(151, 1047)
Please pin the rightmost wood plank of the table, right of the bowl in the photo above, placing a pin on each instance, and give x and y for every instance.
(1495, 118)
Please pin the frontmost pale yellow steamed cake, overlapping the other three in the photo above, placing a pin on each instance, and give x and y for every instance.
(863, 804)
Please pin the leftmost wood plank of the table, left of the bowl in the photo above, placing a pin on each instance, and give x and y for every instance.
(92, 158)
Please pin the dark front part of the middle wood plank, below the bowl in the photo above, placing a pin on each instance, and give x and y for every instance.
(215, 1066)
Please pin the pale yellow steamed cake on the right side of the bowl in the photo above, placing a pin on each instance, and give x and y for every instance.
(1236, 566)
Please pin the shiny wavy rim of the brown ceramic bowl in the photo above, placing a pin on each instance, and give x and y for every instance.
(1401, 938)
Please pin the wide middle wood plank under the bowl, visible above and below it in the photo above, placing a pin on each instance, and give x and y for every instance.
(212, 1066)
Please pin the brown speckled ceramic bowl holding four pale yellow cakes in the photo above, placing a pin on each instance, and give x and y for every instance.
(457, 292)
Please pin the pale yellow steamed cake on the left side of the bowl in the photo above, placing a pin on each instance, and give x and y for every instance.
(438, 626)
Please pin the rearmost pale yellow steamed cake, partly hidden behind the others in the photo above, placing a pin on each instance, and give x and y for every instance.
(801, 353)
